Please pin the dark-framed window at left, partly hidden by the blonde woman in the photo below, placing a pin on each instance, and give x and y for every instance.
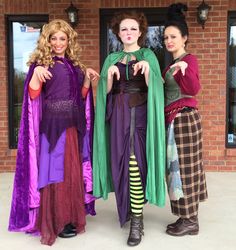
(22, 35)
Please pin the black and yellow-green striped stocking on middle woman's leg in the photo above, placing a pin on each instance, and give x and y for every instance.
(136, 188)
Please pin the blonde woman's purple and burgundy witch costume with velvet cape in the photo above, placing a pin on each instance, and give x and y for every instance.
(53, 179)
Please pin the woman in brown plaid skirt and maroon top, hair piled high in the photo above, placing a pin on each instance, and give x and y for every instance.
(185, 174)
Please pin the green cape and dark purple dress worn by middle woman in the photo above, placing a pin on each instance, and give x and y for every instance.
(129, 121)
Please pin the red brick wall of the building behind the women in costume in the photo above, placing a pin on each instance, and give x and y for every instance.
(209, 45)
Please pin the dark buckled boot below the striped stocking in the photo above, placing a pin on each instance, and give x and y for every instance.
(136, 230)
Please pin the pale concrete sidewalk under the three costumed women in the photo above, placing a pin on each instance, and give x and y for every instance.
(217, 217)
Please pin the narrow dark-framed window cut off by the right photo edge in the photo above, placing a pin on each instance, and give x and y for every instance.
(231, 82)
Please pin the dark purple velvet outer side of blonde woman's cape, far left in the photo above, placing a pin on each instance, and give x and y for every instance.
(20, 207)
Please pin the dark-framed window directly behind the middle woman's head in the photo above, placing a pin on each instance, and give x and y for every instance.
(156, 18)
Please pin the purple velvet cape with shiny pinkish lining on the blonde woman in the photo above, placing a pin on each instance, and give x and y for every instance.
(26, 197)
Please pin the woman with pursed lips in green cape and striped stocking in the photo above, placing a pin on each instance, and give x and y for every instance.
(129, 135)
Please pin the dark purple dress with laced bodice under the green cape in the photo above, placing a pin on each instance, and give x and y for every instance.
(125, 96)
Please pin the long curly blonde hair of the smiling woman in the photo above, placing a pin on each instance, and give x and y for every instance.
(42, 55)
